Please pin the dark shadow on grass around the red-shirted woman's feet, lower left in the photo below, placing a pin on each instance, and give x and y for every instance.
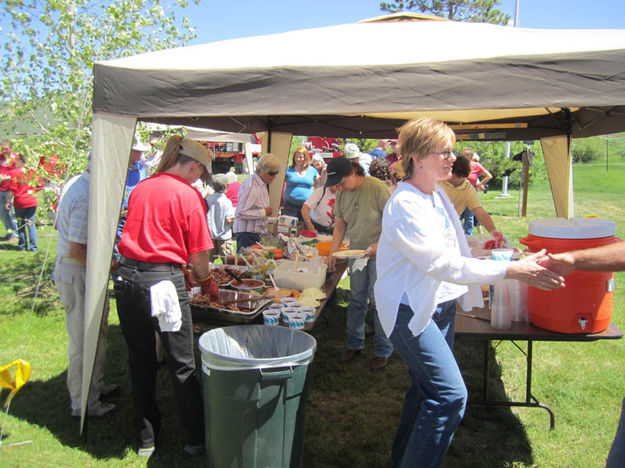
(46, 404)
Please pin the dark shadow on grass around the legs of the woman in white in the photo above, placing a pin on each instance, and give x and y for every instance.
(352, 413)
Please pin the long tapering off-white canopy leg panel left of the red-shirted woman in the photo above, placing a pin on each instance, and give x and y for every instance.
(112, 139)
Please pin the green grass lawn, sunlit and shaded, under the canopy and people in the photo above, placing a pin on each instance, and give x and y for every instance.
(351, 413)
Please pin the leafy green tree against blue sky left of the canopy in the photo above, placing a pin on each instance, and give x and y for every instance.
(49, 50)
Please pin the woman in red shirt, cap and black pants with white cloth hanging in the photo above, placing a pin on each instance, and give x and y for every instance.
(165, 228)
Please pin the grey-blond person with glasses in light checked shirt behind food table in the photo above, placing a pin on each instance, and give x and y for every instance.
(250, 218)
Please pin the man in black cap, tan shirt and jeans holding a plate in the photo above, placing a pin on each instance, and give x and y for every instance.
(358, 212)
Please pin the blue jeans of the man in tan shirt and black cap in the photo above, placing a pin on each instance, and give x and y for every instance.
(361, 288)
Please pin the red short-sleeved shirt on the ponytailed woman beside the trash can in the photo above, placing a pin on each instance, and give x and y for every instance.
(166, 221)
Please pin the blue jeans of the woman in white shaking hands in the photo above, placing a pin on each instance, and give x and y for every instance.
(434, 405)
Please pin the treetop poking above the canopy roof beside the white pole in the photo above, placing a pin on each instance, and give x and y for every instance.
(477, 11)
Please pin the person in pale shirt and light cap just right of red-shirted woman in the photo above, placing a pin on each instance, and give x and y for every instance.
(220, 217)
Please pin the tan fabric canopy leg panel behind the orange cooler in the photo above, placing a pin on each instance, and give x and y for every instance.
(557, 152)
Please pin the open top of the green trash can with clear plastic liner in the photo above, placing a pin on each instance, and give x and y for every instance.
(257, 346)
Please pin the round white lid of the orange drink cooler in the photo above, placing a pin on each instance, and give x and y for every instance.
(574, 228)
